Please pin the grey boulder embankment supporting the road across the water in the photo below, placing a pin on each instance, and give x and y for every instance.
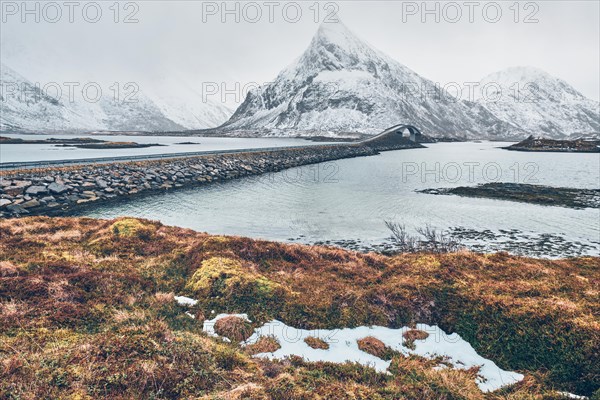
(55, 191)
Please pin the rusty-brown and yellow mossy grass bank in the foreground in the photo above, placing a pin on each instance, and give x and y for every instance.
(87, 311)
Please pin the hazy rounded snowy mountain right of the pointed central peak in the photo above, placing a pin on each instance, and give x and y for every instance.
(539, 103)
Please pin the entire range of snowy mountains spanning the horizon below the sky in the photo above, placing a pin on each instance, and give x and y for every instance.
(339, 86)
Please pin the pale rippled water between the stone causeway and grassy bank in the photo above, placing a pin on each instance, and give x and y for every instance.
(350, 199)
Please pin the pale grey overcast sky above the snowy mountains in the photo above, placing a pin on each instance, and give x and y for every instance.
(193, 42)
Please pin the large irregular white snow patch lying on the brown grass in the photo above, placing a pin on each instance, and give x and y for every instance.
(343, 347)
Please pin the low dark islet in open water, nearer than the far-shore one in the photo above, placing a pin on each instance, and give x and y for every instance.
(534, 194)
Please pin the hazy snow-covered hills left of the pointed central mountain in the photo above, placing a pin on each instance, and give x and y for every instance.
(25, 108)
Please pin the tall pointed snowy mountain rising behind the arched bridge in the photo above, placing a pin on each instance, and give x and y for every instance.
(341, 84)
